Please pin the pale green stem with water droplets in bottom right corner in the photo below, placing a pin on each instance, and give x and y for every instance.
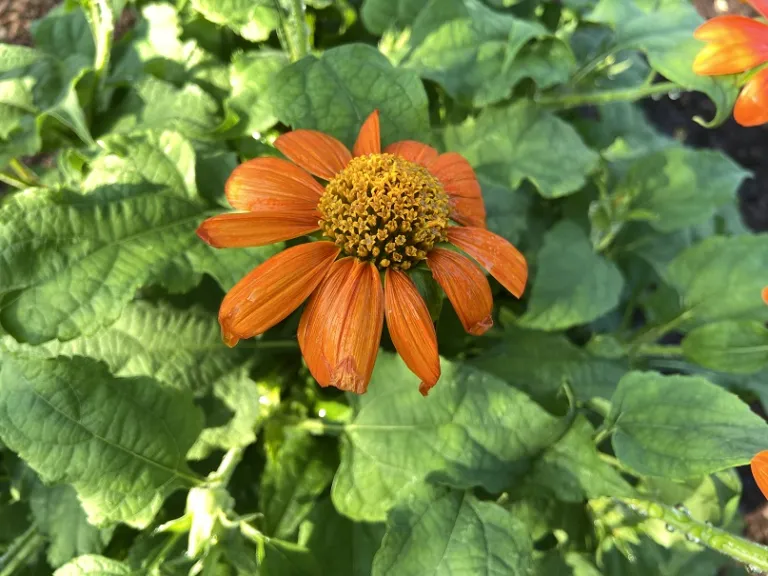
(753, 555)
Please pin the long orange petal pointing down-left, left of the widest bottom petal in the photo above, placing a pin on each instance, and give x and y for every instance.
(270, 292)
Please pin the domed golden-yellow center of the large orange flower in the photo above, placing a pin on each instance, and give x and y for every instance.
(386, 210)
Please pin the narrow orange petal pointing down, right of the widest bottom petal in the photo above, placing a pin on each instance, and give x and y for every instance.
(411, 329)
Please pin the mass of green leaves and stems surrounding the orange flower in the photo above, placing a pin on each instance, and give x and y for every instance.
(133, 441)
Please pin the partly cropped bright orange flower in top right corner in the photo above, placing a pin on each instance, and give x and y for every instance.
(736, 44)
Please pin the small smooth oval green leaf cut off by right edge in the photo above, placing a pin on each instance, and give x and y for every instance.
(738, 347)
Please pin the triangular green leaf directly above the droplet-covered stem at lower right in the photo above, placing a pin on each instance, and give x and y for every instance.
(573, 471)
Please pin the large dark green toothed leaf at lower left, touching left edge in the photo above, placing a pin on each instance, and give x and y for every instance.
(120, 442)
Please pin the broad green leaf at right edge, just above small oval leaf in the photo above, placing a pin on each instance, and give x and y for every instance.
(722, 278)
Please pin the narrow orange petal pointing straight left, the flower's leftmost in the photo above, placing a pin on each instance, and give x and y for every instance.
(243, 229)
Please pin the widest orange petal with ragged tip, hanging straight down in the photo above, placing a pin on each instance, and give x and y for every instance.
(340, 329)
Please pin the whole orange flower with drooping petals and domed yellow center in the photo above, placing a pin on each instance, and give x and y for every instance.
(382, 212)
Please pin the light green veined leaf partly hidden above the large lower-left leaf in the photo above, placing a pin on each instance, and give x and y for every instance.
(181, 348)
